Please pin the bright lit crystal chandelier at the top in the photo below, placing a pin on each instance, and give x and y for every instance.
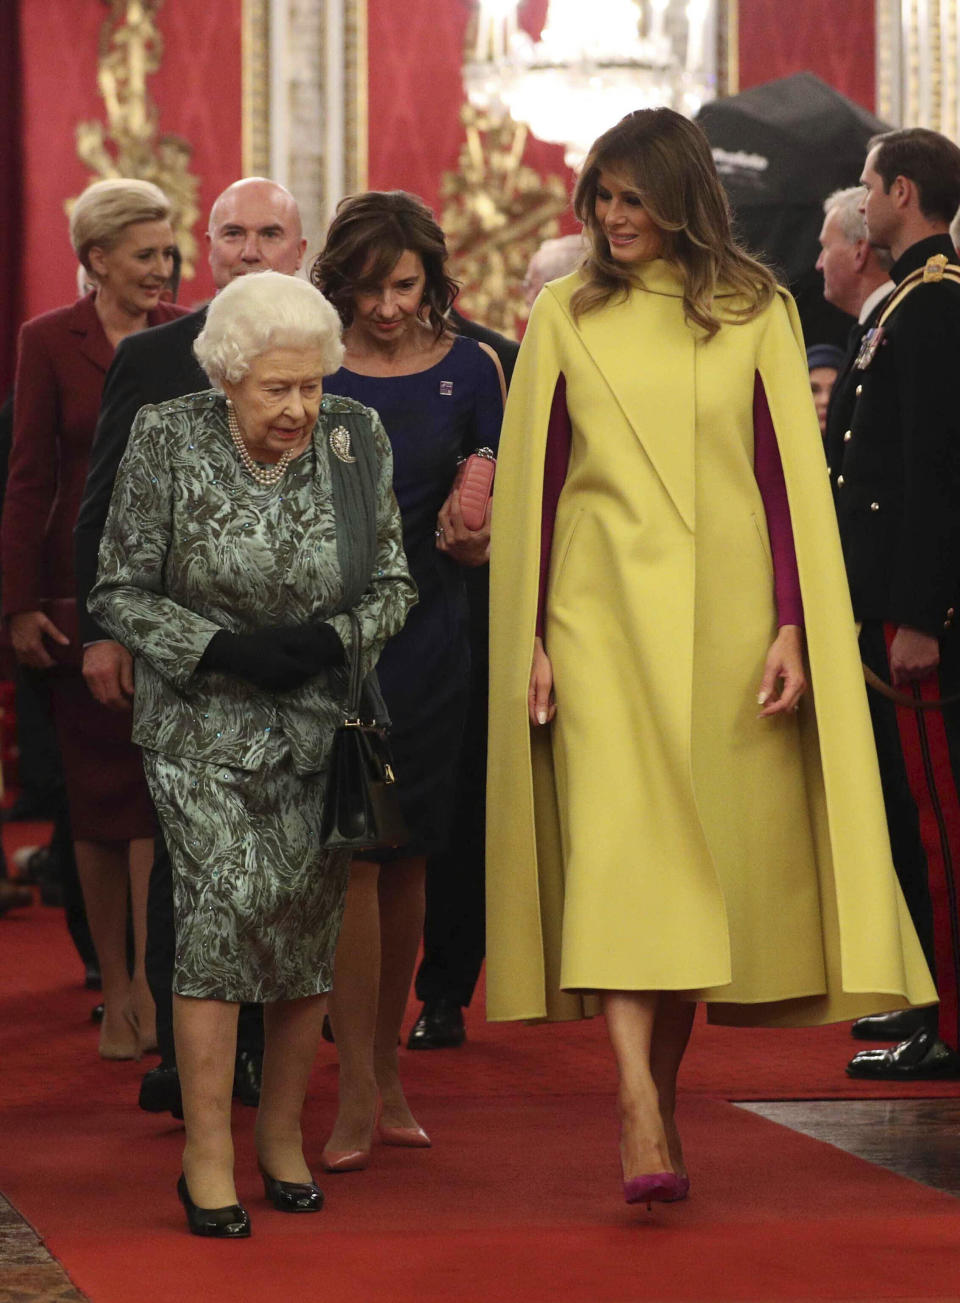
(596, 62)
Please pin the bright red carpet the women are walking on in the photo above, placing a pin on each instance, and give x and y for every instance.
(516, 1203)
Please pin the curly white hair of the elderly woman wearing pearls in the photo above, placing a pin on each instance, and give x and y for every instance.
(266, 311)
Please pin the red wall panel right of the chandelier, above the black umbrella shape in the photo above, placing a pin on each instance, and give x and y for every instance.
(836, 40)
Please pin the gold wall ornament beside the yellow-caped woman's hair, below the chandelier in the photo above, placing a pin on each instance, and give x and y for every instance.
(497, 212)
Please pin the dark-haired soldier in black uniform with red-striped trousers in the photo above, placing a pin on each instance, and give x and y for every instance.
(897, 480)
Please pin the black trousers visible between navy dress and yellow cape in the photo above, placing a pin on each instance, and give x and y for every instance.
(455, 922)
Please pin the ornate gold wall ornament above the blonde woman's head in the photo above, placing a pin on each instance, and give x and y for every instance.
(131, 50)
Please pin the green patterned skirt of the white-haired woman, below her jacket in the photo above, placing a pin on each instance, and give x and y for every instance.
(257, 902)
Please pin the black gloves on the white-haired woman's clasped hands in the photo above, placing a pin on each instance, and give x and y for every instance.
(277, 659)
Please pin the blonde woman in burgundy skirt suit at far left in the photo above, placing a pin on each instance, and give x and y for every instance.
(122, 234)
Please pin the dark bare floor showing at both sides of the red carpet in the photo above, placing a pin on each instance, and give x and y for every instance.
(915, 1138)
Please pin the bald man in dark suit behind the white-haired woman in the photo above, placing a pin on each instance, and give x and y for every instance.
(255, 226)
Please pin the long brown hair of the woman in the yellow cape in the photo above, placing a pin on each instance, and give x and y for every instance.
(668, 160)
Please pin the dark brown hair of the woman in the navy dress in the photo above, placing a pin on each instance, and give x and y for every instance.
(365, 240)
